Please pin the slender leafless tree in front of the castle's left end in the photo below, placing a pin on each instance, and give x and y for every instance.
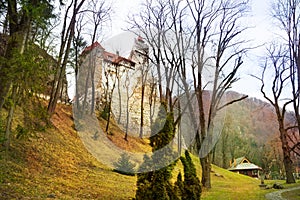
(95, 14)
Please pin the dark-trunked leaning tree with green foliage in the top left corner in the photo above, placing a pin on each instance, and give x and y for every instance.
(22, 19)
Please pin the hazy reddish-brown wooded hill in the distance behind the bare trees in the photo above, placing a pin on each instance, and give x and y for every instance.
(251, 117)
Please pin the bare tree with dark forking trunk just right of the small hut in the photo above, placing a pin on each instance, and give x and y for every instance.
(279, 64)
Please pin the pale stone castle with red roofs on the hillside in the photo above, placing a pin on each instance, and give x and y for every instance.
(120, 82)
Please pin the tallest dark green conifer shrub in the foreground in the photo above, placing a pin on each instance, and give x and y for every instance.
(155, 184)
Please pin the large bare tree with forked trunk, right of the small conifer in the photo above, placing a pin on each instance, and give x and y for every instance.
(217, 26)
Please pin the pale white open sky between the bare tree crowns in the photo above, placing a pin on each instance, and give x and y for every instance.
(260, 32)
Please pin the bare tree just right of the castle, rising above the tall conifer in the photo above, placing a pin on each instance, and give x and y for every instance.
(152, 25)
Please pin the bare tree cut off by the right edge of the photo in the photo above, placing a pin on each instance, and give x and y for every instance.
(286, 13)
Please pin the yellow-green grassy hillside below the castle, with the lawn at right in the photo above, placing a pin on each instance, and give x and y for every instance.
(56, 162)
